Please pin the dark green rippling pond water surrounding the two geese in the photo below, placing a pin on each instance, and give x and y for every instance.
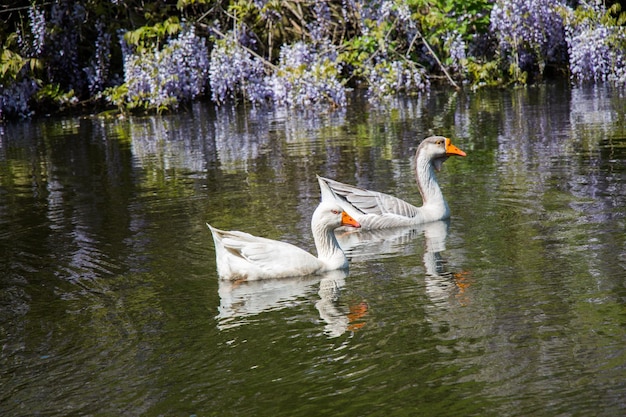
(110, 302)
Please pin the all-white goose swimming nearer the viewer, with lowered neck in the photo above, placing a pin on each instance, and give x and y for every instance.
(241, 255)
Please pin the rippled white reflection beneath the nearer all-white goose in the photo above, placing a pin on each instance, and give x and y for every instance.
(241, 300)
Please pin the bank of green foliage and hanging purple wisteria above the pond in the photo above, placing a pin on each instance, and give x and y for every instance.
(155, 55)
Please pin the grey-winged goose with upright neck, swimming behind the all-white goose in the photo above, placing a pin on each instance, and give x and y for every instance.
(375, 210)
